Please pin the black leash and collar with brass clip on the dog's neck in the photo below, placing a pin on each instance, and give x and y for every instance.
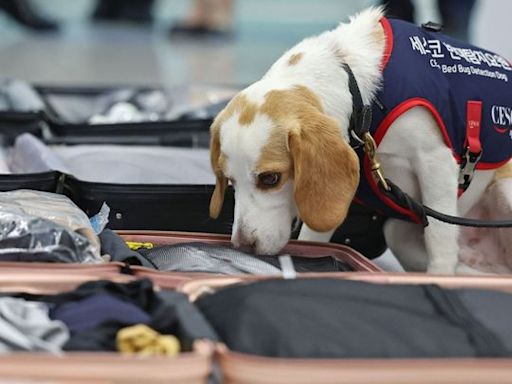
(360, 123)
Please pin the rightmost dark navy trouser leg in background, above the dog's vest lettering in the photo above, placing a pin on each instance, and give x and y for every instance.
(456, 16)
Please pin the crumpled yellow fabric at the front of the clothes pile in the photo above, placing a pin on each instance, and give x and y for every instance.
(143, 340)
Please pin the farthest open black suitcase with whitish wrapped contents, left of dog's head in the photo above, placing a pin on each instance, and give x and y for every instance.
(179, 116)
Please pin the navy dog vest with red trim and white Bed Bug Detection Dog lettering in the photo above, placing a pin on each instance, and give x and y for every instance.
(464, 87)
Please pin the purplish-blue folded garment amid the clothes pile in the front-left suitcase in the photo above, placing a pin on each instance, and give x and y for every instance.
(99, 309)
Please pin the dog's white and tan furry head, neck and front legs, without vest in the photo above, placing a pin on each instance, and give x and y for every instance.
(295, 121)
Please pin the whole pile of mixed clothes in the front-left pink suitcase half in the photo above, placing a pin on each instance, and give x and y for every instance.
(102, 316)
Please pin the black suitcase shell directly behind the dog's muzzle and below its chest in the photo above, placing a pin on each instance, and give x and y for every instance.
(185, 208)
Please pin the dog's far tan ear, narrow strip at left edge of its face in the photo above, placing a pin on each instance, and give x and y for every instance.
(221, 183)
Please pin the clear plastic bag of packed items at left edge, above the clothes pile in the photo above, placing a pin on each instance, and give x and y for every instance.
(41, 226)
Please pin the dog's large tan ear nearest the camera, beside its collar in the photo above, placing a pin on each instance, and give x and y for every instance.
(326, 172)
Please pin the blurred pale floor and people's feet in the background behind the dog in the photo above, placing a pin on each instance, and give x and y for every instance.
(170, 42)
